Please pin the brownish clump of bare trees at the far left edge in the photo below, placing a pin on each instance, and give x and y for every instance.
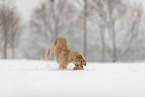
(9, 29)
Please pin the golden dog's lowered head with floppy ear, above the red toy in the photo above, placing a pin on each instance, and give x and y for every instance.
(80, 60)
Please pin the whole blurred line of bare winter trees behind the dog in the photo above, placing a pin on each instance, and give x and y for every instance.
(103, 30)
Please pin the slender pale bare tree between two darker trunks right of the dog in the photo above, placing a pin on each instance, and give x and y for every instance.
(99, 7)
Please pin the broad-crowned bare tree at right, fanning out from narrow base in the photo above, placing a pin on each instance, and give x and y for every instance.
(119, 12)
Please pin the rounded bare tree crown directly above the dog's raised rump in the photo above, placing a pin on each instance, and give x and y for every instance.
(52, 19)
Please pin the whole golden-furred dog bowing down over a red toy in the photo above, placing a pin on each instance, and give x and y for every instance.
(63, 55)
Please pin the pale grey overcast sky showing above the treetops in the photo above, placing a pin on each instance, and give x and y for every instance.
(25, 7)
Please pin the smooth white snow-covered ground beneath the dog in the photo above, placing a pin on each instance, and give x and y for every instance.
(32, 78)
